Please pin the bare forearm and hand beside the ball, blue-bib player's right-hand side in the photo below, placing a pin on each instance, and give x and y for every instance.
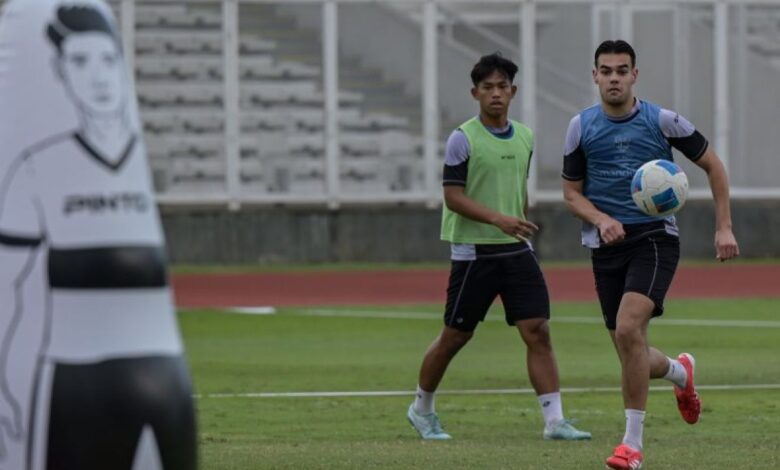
(726, 246)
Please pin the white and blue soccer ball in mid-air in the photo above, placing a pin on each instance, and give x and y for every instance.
(659, 188)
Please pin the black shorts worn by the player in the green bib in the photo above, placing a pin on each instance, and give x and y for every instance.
(474, 285)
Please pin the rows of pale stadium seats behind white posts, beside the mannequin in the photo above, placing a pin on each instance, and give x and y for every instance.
(179, 74)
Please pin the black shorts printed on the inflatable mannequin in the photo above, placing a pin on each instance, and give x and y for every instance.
(98, 412)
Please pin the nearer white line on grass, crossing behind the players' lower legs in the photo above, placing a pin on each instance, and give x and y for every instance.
(500, 391)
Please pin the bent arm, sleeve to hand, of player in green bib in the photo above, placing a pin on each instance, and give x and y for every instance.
(456, 199)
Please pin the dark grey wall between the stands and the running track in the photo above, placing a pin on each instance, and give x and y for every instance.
(278, 235)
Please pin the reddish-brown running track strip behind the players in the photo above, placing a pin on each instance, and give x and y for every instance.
(428, 286)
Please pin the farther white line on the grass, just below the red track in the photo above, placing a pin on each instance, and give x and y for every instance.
(380, 314)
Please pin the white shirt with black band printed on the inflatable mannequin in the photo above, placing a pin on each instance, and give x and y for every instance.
(95, 223)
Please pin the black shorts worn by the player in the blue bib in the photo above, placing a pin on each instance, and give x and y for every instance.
(645, 266)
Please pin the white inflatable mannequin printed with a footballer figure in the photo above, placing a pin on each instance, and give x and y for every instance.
(91, 368)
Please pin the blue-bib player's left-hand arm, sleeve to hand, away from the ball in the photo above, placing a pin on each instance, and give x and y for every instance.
(574, 173)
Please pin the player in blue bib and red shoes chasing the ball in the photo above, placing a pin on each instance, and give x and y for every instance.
(634, 256)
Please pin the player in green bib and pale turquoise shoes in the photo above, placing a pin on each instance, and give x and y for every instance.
(484, 218)
